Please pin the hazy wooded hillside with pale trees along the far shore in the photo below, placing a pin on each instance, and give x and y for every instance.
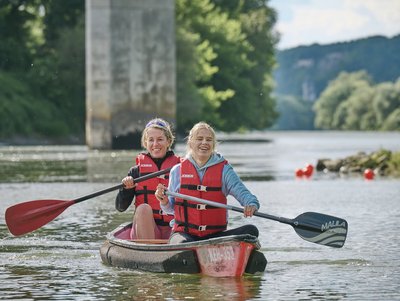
(340, 86)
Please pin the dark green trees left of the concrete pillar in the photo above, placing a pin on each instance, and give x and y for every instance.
(43, 48)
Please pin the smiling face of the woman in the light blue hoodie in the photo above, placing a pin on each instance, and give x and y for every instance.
(202, 145)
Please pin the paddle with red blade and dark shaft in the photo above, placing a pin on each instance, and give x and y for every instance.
(28, 216)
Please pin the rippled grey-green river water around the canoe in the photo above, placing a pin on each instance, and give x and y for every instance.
(61, 260)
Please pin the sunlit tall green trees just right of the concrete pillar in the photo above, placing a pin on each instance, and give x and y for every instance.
(227, 45)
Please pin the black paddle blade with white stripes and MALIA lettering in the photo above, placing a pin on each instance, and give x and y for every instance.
(321, 229)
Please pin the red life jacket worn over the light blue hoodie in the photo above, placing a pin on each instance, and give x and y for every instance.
(199, 219)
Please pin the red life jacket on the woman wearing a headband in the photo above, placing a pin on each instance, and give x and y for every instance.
(145, 190)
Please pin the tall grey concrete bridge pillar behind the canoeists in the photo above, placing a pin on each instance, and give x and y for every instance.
(130, 69)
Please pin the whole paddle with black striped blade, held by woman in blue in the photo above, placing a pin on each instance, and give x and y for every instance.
(315, 227)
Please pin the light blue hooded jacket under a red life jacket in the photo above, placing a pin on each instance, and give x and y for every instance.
(231, 183)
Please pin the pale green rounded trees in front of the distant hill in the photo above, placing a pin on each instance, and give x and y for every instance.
(352, 102)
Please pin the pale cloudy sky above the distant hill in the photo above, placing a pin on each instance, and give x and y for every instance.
(305, 22)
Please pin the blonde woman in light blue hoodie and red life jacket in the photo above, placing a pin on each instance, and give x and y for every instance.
(204, 173)
